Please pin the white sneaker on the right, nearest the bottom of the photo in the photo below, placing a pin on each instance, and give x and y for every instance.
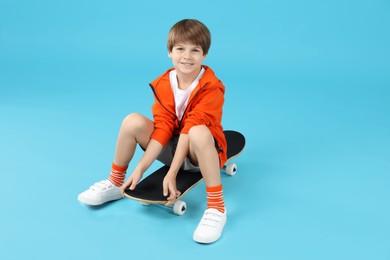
(210, 226)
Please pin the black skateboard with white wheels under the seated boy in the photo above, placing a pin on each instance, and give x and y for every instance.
(150, 190)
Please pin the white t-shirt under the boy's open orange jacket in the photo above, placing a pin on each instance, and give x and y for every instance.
(182, 96)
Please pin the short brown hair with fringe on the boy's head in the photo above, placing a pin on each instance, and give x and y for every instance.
(192, 31)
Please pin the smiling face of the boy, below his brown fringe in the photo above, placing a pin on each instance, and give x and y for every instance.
(187, 58)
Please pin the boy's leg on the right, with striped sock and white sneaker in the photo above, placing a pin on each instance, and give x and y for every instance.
(202, 150)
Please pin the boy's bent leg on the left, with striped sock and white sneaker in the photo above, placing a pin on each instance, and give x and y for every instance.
(135, 129)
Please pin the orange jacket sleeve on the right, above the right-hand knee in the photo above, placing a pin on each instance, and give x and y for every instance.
(206, 111)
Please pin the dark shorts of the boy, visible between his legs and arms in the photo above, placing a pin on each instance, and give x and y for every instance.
(167, 153)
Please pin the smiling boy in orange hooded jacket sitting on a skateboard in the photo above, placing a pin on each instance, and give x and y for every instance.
(186, 131)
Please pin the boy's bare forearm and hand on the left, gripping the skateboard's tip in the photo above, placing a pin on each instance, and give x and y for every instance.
(151, 153)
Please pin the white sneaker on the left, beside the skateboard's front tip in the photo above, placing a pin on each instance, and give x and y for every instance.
(99, 193)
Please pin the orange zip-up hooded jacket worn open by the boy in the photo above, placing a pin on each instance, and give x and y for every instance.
(204, 108)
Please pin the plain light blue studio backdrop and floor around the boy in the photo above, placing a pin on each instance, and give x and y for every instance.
(307, 83)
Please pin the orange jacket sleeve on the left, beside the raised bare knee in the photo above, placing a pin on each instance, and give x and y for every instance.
(164, 122)
